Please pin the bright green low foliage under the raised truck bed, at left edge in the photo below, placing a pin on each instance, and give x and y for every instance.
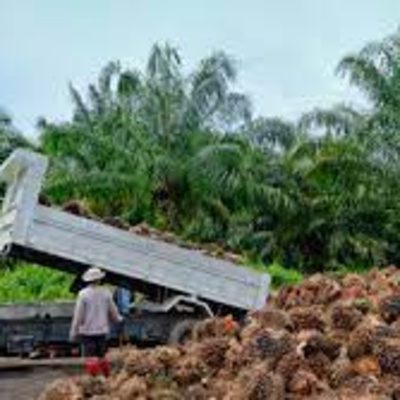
(24, 283)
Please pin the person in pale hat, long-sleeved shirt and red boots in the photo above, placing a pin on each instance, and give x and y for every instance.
(94, 313)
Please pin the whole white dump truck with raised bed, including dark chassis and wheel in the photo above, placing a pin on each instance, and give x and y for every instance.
(179, 285)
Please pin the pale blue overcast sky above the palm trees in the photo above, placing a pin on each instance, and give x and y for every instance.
(287, 50)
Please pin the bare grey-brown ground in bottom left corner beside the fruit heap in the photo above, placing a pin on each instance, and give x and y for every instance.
(27, 384)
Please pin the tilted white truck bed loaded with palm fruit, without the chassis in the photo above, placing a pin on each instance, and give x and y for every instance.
(68, 242)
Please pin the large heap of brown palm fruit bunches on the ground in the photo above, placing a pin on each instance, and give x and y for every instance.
(327, 338)
